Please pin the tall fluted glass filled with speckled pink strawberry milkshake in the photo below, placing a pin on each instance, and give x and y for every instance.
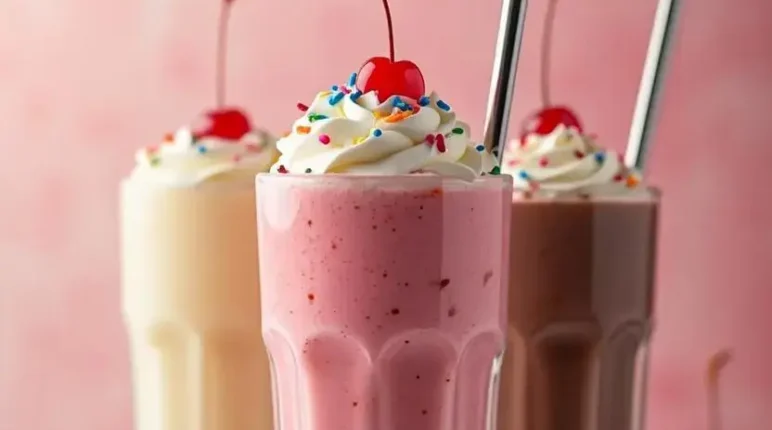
(384, 299)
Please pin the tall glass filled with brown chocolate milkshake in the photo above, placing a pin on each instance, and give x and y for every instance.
(580, 312)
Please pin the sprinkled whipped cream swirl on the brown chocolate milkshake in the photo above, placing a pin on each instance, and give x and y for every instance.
(565, 162)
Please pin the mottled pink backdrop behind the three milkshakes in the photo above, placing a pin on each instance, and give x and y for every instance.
(84, 82)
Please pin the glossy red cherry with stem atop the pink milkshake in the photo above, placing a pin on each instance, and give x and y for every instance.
(389, 77)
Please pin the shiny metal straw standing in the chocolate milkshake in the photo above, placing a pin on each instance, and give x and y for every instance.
(651, 83)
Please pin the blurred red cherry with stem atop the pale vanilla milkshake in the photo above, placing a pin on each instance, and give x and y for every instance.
(228, 123)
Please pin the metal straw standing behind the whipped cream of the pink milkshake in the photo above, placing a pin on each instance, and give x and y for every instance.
(504, 70)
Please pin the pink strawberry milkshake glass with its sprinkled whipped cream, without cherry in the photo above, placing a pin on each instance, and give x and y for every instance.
(383, 264)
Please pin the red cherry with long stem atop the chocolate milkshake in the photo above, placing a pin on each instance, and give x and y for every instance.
(550, 116)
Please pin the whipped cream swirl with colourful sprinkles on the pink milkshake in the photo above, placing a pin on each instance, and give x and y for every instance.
(345, 131)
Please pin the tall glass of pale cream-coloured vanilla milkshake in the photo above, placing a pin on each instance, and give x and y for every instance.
(192, 307)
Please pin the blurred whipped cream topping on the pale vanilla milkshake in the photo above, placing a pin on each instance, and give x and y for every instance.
(184, 160)
